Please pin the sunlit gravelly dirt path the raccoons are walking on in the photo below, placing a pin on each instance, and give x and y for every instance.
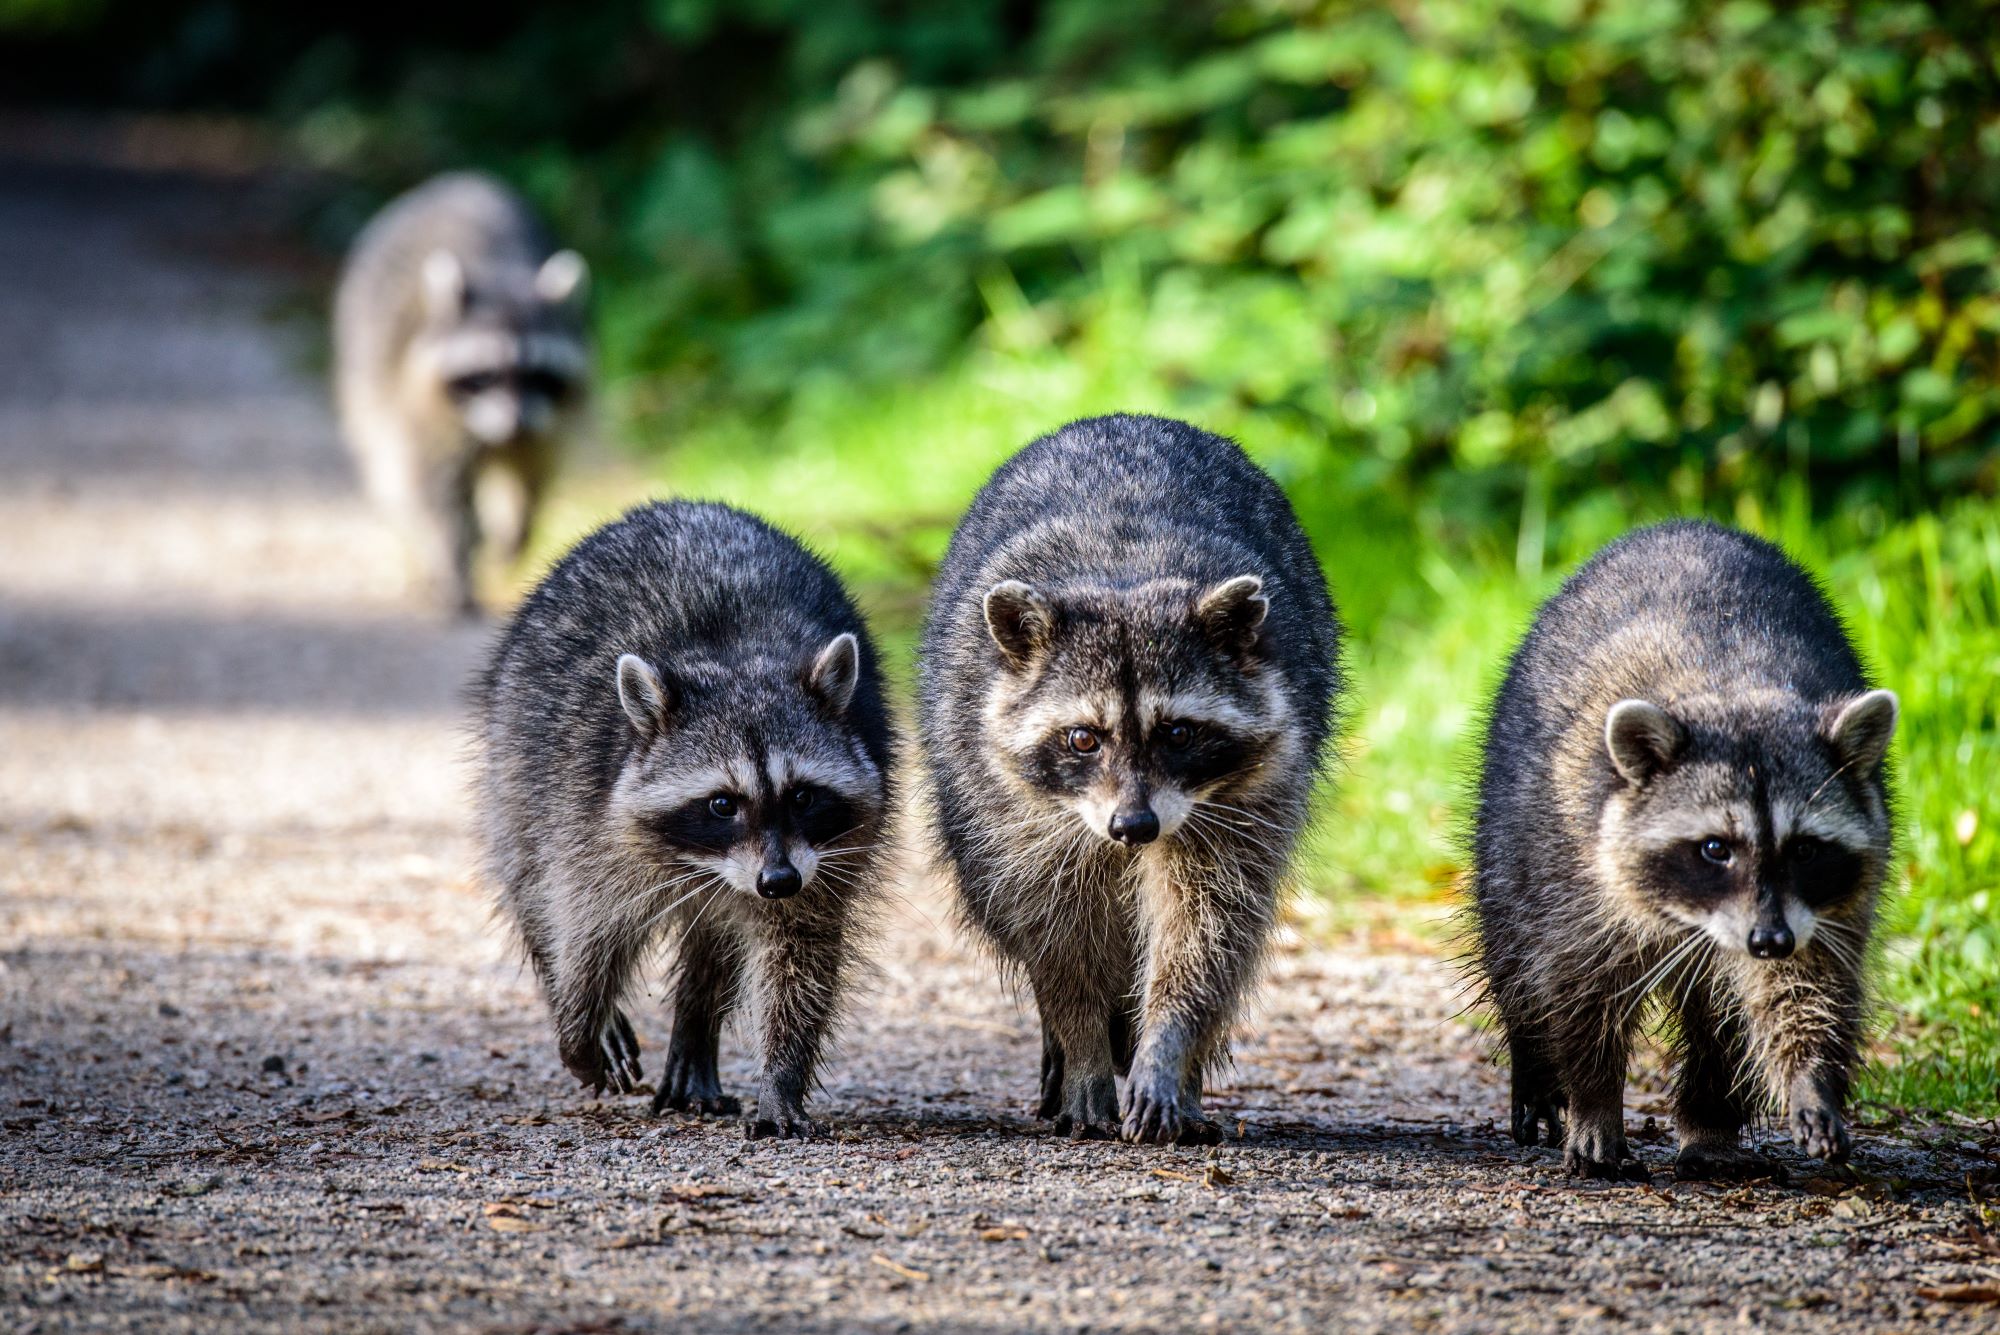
(263, 1064)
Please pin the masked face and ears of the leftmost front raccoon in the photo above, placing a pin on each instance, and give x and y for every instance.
(743, 782)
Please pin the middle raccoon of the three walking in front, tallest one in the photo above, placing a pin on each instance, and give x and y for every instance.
(1127, 688)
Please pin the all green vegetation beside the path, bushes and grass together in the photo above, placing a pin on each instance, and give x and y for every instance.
(1483, 283)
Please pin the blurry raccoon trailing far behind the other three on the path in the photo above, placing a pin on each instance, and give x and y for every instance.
(461, 361)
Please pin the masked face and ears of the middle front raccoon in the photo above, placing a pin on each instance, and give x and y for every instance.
(1143, 710)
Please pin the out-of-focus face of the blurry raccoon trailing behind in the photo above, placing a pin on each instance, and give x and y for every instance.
(505, 355)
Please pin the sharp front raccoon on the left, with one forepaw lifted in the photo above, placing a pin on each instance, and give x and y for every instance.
(685, 740)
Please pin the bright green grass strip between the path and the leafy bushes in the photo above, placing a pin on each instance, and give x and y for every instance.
(879, 481)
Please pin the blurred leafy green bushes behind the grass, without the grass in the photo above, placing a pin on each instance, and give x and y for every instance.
(1505, 249)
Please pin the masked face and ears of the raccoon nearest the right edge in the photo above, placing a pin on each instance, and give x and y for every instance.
(1759, 820)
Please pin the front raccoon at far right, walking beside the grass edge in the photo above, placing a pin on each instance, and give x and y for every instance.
(1683, 796)
